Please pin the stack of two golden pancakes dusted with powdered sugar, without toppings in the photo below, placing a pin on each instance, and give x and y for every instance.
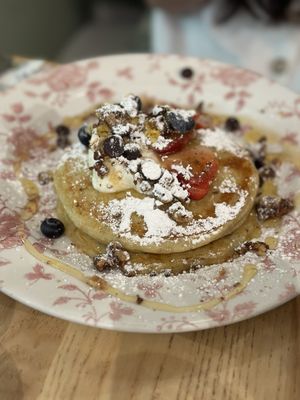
(221, 221)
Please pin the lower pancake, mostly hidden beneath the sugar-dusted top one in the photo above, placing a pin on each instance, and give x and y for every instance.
(216, 252)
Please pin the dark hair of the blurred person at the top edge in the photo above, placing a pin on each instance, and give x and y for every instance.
(269, 10)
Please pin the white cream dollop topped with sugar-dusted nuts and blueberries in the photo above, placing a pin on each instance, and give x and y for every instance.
(121, 153)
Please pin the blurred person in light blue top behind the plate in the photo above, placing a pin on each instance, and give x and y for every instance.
(262, 35)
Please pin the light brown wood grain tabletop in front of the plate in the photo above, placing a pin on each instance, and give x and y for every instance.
(42, 357)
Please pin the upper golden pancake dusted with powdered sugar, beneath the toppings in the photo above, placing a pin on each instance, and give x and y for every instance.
(135, 220)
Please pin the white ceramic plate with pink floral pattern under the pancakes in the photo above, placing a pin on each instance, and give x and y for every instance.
(27, 111)
